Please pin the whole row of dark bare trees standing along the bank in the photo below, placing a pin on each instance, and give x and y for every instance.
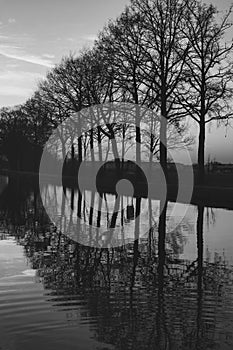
(171, 57)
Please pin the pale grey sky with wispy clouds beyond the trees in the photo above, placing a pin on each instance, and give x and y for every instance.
(35, 35)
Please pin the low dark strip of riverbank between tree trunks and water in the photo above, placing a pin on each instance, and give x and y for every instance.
(213, 195)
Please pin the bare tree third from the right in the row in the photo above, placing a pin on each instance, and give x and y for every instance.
(121, 43)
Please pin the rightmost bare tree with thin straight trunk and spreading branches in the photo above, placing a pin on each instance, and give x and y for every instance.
(207, 88)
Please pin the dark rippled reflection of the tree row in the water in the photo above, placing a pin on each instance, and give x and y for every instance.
(141, 295)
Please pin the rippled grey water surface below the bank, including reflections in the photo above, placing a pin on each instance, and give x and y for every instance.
(58, 294)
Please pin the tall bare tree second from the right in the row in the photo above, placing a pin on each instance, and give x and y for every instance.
(165, 49)
